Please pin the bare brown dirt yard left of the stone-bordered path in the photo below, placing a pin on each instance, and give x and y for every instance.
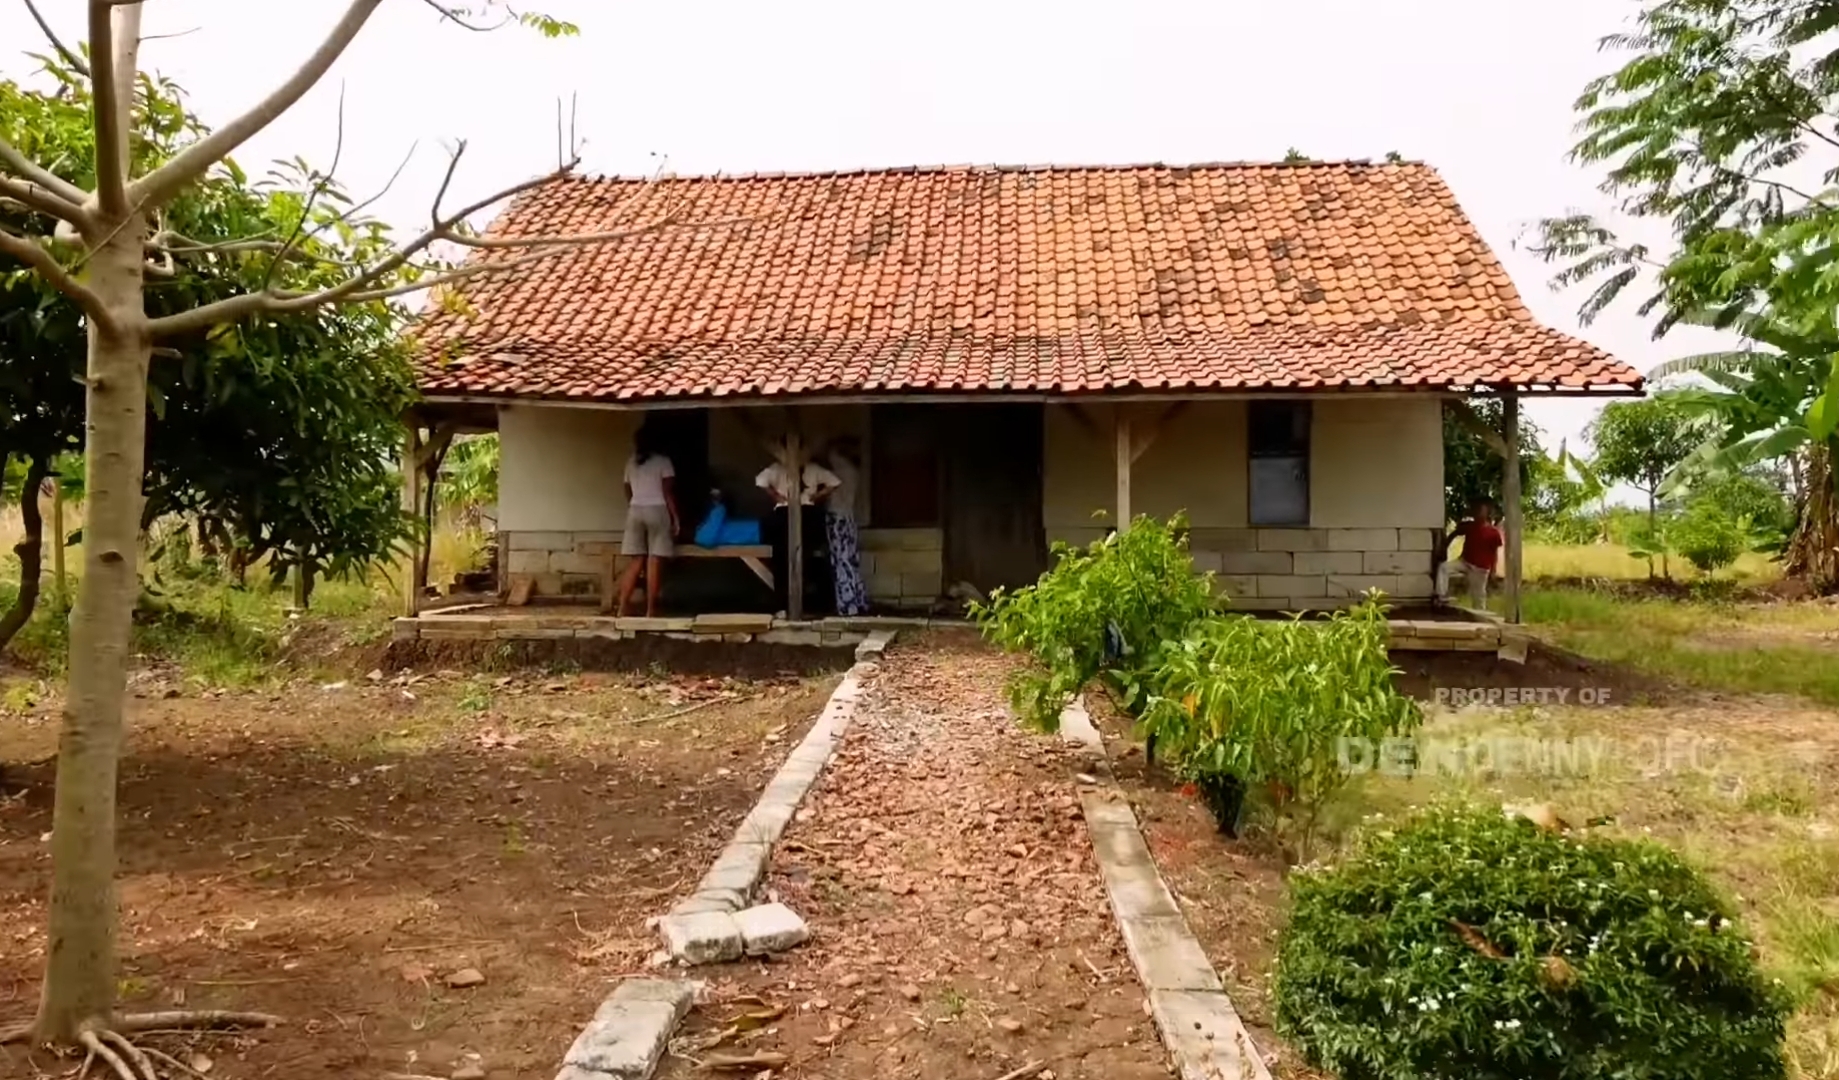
(350, 855)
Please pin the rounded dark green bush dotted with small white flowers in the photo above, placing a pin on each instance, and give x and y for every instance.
(1470, 945)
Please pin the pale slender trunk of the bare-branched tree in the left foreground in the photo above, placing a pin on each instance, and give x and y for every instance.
(80, 961)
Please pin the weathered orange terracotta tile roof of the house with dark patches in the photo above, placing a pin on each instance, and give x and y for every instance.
(1045, 281)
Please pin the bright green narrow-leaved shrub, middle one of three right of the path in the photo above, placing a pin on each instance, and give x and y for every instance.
(1270, 702)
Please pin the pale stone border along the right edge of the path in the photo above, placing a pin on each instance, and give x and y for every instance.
(1200, 1028)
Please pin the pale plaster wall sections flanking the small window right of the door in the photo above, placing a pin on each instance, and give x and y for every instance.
(1378, 463)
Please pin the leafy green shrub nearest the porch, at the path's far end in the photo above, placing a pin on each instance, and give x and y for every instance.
(1139, 582)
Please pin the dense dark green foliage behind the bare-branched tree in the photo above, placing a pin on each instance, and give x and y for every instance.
(279, 431)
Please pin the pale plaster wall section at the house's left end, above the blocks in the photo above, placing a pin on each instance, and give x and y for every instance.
(564, 470)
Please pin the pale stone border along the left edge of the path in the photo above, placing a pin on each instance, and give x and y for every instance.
(634, 1026)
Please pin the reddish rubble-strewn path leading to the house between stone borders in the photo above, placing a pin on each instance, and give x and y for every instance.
(959, 923)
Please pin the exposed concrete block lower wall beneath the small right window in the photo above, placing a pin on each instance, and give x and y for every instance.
(1312, 569)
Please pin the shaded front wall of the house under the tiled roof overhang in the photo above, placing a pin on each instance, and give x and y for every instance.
(1294, 501)
